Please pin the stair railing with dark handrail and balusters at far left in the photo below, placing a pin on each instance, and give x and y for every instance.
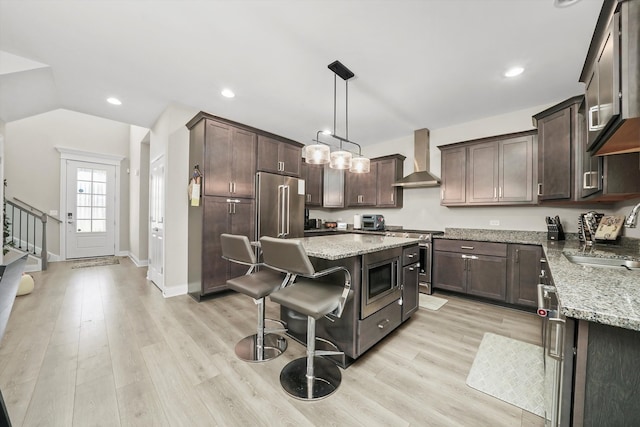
(27, 229)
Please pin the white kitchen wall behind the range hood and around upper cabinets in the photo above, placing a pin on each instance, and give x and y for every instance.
(422, 210)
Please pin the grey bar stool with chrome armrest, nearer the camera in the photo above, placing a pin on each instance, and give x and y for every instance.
(311, 377)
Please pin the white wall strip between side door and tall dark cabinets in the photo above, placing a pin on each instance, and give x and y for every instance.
(169, 136)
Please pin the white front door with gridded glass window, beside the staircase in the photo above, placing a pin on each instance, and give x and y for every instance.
(90, 214)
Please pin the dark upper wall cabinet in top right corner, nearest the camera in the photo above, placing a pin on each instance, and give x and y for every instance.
(611, 74)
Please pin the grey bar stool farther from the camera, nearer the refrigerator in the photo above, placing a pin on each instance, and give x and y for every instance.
(265, 344)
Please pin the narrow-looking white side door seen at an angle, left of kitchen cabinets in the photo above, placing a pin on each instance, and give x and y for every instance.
(156, 223)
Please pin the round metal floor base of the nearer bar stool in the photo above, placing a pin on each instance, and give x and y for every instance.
(326, 380)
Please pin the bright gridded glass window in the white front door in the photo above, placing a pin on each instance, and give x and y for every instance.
(91, 200)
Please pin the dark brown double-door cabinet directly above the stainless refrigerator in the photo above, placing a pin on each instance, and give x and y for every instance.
(281, 157)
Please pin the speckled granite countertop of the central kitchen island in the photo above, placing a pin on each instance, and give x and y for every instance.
(345, 245)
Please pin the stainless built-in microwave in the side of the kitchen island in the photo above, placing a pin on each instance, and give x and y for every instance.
(380, 280)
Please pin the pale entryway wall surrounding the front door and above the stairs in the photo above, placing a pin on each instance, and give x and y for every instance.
(32, 166)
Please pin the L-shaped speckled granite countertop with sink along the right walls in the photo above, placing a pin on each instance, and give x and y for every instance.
(610, 296)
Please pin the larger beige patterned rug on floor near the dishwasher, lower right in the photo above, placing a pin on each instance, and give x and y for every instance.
(510, 370)
